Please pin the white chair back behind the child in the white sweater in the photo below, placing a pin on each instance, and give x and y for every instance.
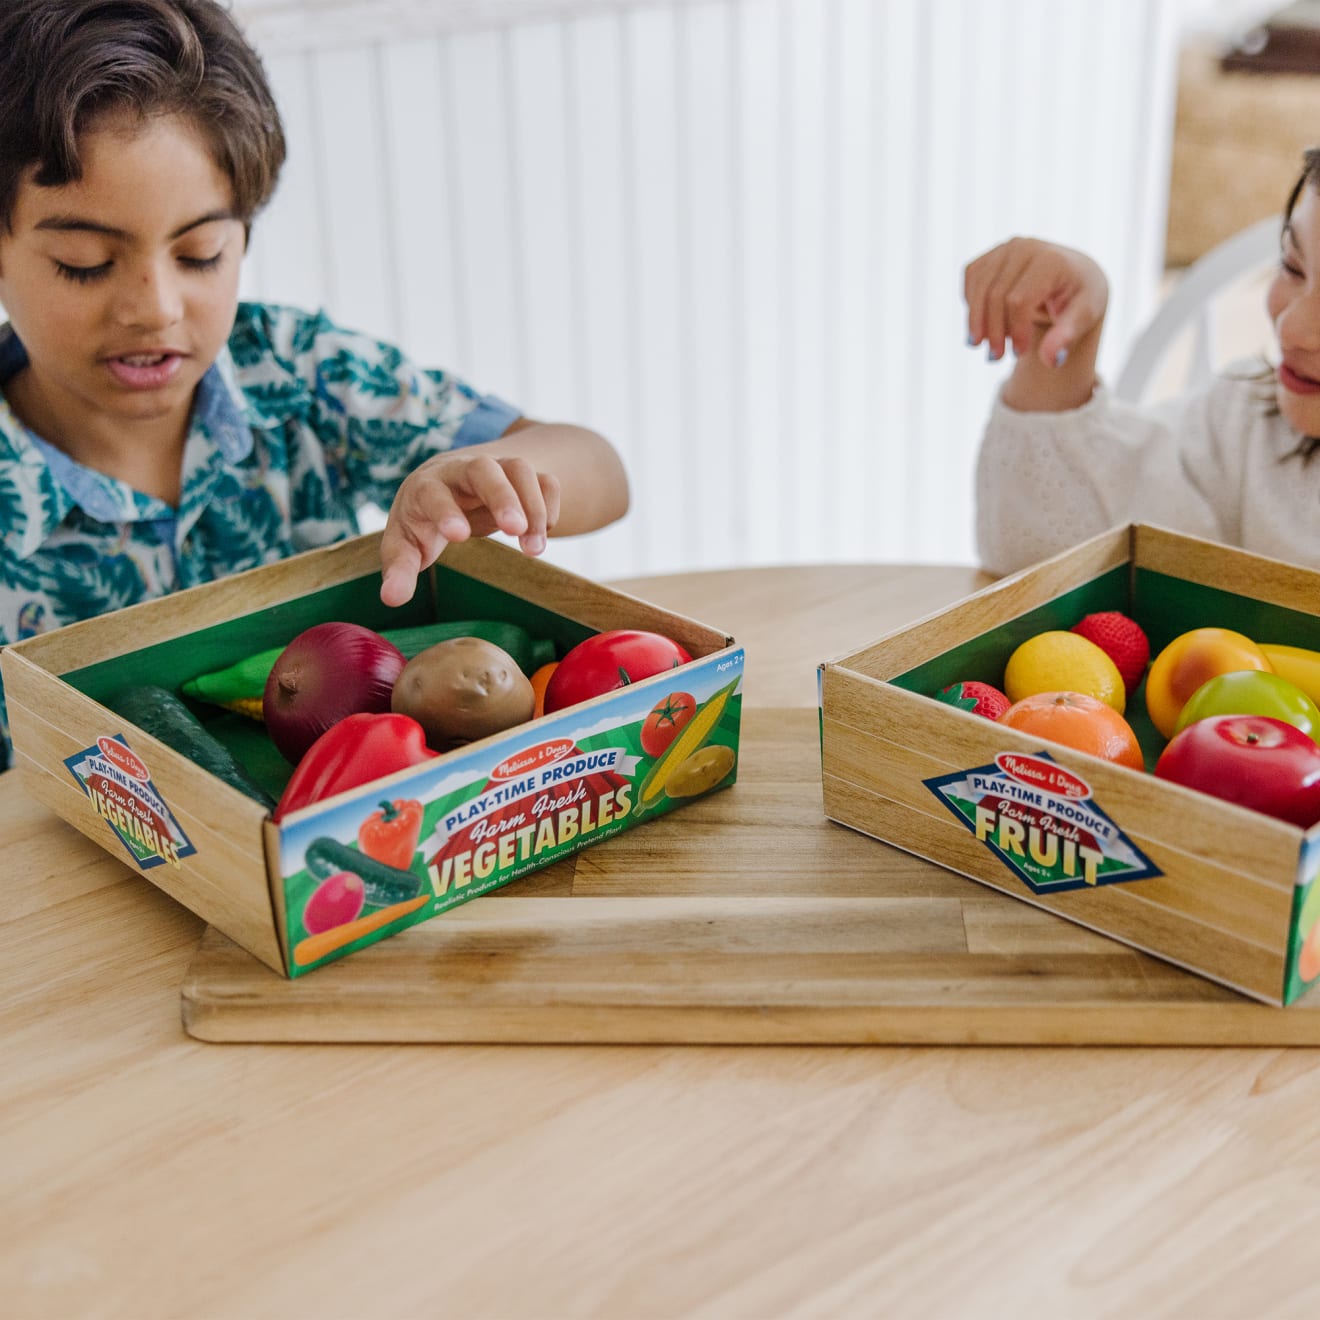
(1194, 308)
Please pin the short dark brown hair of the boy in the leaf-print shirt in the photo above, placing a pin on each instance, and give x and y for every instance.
(64, 64)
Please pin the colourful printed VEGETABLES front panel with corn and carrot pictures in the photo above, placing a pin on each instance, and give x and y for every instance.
(377, 863)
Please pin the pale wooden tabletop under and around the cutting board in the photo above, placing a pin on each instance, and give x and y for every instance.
(147, 1174)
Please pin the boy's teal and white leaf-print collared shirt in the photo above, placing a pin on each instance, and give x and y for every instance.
(295, 427)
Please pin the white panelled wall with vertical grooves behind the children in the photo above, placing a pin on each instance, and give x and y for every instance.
(729, 234)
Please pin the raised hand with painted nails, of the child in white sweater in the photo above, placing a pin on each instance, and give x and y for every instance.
(1038, 296)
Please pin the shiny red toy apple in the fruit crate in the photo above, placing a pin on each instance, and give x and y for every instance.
(1253, 761)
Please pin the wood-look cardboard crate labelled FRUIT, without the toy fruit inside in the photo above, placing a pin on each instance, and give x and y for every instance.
(1214, 888)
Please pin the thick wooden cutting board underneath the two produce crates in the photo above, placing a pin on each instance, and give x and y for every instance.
(748, 918)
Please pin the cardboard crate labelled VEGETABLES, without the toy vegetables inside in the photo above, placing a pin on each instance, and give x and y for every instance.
(476, 818)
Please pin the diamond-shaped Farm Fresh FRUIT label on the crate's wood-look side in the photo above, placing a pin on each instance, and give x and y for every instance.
(1041, 820)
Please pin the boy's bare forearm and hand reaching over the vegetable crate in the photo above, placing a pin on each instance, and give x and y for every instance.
(535, 481)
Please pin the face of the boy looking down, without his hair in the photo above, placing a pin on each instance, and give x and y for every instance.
(123, 286)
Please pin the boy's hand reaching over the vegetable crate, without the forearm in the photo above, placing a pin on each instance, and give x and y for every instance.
(461, 494)
